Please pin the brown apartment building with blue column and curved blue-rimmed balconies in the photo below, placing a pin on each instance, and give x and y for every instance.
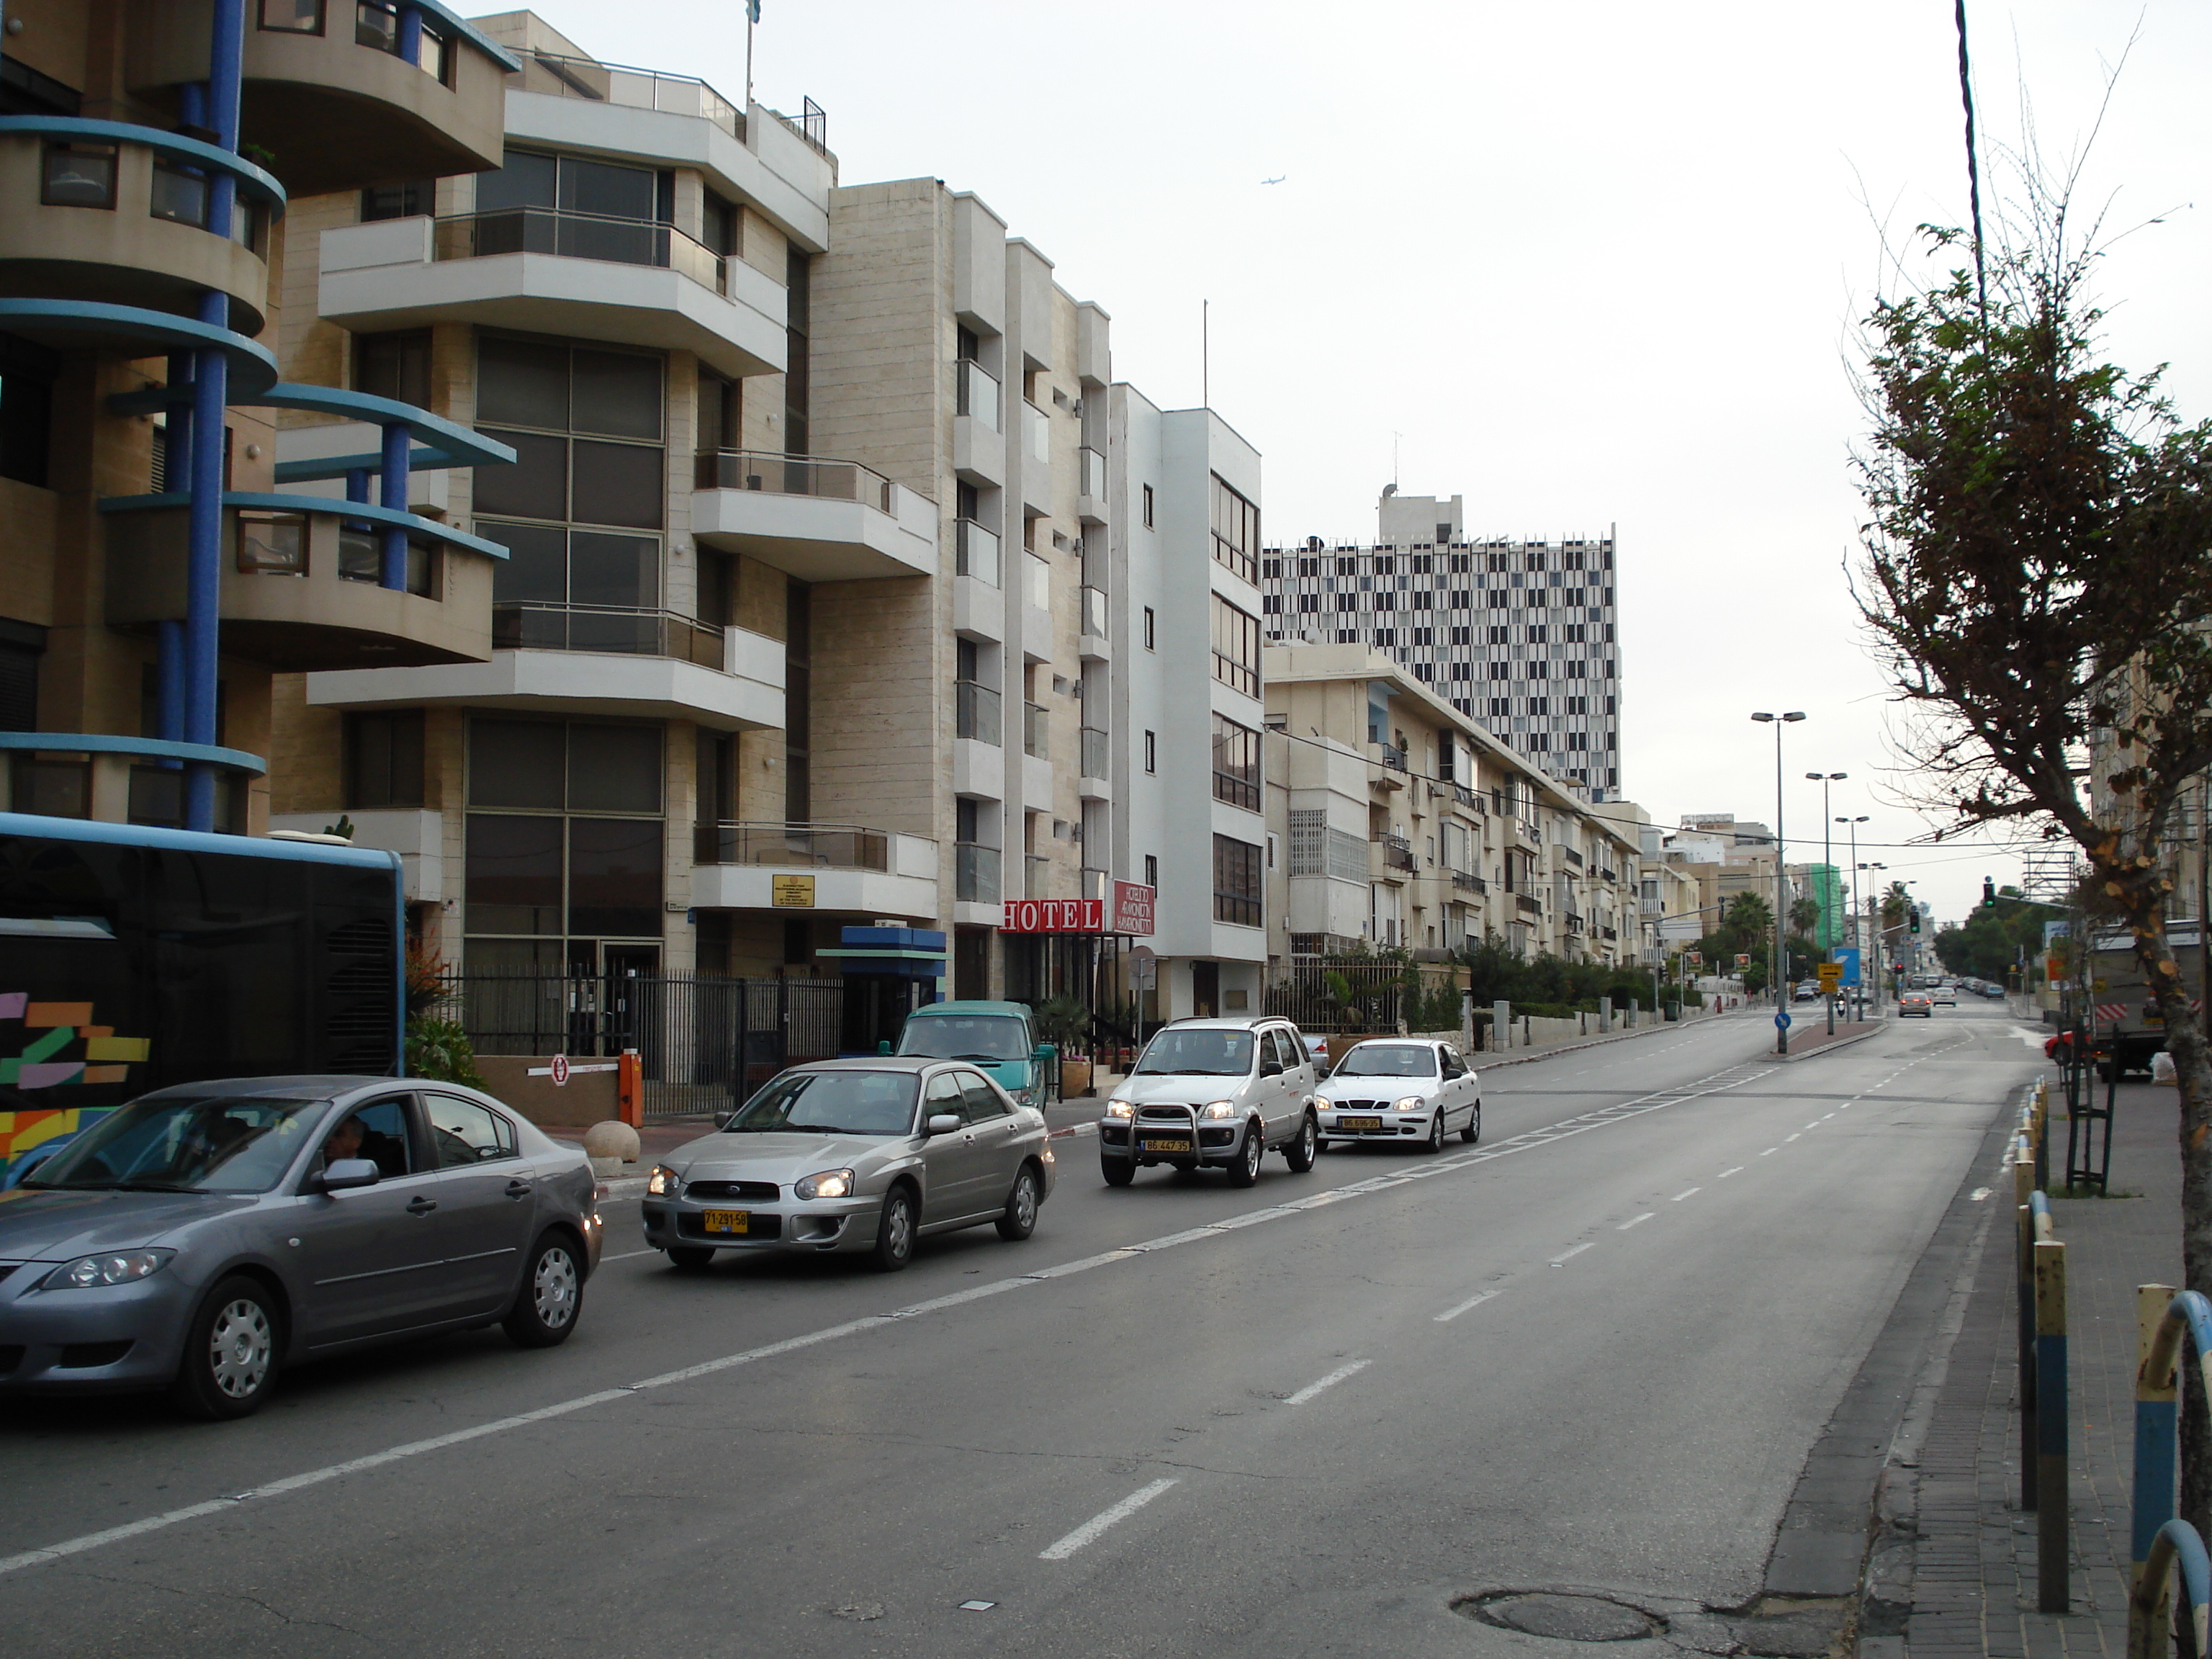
(158, 565)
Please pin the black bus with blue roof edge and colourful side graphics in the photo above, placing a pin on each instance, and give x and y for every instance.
(134, 959)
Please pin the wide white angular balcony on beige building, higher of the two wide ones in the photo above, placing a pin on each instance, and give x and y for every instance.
(556, 273)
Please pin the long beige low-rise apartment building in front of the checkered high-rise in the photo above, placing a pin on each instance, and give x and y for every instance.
(1401, 822)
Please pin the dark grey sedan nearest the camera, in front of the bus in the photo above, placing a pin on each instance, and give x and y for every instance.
(207, 1235)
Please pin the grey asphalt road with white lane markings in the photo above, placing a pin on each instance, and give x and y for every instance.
(1295, 1421)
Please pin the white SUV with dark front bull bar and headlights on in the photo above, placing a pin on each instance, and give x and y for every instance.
(1213, 1094)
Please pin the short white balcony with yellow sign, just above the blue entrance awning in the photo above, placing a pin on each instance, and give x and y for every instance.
(870, 873)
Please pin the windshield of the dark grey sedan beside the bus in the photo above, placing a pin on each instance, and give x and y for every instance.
(187, 1145)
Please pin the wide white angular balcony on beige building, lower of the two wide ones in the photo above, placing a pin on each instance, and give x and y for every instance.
(592, 660)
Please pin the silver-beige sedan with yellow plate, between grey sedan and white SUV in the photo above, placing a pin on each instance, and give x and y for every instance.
(862, 1156)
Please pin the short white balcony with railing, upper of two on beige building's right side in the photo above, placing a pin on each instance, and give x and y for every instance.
(822, 521)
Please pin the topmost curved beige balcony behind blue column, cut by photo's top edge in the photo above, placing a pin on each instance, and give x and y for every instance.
(331, 87)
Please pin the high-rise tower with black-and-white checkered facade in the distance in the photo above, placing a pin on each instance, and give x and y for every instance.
(1512, 634)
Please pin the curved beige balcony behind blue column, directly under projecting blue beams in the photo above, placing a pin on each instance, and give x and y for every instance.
(302, 581)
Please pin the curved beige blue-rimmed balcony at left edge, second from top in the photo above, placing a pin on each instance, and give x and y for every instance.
(109, 211)
